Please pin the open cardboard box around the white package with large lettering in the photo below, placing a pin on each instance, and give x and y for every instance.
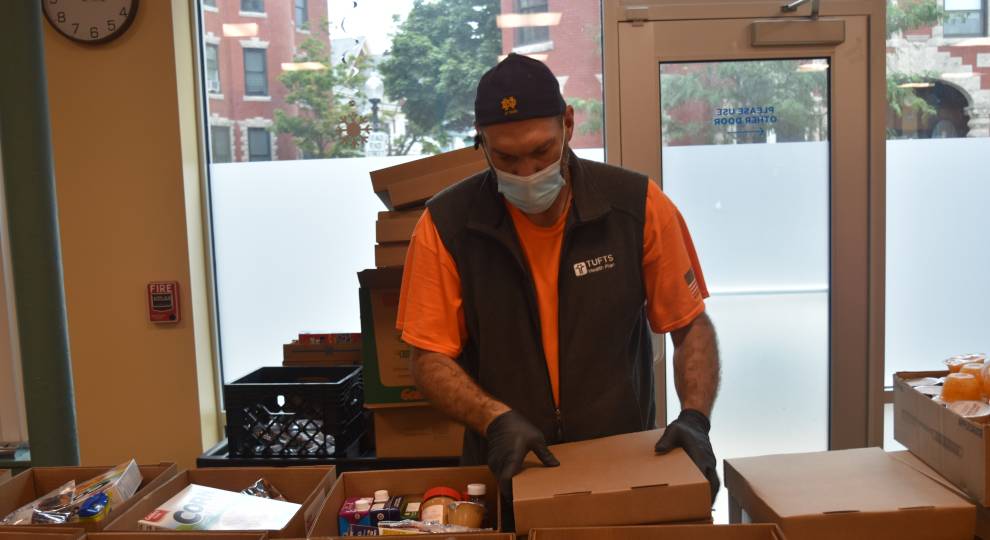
(307, 486)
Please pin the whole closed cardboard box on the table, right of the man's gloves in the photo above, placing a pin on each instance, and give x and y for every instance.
(864, 493)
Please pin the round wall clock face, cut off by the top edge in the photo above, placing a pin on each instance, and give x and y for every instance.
(90, 21)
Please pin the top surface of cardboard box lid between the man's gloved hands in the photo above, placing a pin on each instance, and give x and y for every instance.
(621, 463)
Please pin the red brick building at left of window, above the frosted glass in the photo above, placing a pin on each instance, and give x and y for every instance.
(245, 44)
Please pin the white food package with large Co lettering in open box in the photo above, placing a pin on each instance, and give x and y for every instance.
(202, 508)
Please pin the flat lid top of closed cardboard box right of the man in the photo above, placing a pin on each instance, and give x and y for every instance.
(863, 480)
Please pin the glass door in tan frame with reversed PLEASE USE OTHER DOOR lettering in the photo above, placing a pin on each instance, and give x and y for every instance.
(759, 128)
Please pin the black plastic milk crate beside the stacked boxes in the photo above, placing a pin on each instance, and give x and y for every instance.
(295, 412)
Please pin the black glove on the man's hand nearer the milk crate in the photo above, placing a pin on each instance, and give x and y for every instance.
(510, 437)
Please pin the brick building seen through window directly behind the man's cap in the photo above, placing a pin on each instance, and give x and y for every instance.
(570, 45)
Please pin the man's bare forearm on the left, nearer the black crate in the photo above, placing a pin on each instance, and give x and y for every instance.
(454, 392)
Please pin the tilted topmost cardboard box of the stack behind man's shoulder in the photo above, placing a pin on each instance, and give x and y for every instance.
(412, 183)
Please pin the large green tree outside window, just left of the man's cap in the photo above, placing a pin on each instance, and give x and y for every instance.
(438, 54)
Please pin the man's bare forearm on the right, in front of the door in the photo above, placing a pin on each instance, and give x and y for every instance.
(697, 371)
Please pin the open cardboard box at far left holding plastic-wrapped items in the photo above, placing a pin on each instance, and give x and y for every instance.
(39, 481)
